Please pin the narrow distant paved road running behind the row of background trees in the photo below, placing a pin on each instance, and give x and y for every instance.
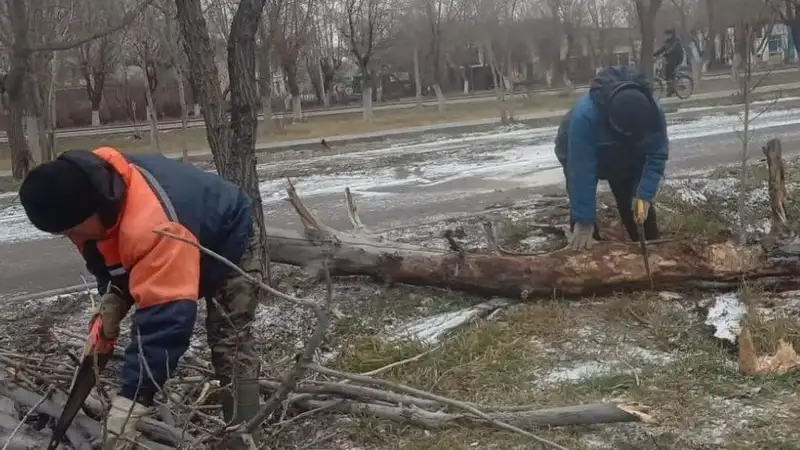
(405, 104)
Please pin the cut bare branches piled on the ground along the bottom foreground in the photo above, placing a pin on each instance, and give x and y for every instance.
(188, 415)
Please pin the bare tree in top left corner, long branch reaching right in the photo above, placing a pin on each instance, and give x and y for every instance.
(16, 35)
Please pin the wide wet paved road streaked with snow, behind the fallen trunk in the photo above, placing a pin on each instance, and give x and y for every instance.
(405, 182)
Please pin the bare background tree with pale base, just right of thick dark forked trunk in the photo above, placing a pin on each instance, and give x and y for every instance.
(290, 22)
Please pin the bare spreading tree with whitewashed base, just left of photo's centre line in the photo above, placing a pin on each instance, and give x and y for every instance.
(367, 30)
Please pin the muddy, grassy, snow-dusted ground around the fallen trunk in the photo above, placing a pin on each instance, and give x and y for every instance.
(651, 348)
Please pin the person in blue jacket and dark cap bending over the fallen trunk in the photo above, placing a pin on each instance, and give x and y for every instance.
(615, 132)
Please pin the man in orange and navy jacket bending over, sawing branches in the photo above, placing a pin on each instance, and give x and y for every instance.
(110, 205)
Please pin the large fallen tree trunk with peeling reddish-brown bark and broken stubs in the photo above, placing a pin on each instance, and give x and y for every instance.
(608, 267)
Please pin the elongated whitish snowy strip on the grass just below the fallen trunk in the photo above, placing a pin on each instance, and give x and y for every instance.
(430, 330)
